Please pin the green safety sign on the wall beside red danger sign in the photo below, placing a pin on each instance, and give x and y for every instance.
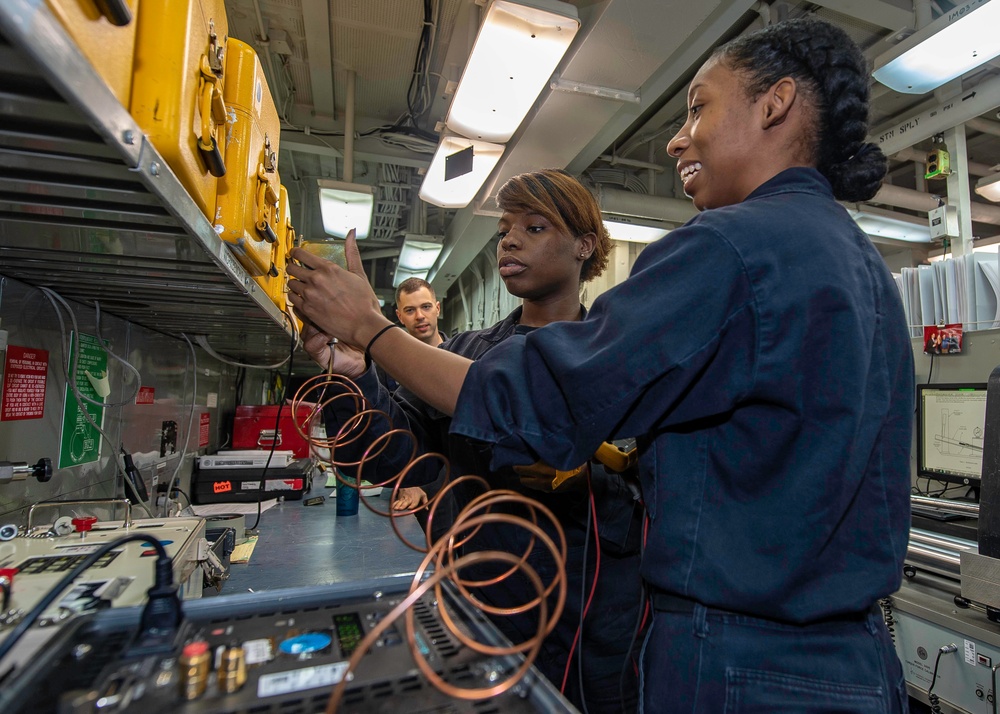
(81, 442)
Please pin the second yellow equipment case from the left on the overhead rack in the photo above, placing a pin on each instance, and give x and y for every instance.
(177, 90)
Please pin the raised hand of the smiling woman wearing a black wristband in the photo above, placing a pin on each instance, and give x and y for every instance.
(339, 303)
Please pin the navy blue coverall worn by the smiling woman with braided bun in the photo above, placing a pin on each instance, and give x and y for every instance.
(760, 356)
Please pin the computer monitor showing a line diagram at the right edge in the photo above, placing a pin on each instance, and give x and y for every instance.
(950, 425)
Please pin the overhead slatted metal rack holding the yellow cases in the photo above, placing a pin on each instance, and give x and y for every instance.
(89, 208)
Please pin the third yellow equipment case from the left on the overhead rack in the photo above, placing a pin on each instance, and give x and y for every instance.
(247, 214)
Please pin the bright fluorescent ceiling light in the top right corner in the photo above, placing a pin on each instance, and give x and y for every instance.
(959, 41)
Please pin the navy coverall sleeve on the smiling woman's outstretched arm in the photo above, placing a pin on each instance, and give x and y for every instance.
(674, 343)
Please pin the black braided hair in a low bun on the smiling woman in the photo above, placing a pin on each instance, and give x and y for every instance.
(830, 68)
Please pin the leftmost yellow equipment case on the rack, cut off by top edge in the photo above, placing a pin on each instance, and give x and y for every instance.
(104, 30)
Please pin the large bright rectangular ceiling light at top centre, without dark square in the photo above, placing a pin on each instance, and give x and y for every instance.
(519, 46)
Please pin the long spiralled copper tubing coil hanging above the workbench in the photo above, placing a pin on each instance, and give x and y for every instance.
(444, 554)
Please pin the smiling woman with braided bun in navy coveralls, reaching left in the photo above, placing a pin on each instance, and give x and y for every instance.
(774, 463)
